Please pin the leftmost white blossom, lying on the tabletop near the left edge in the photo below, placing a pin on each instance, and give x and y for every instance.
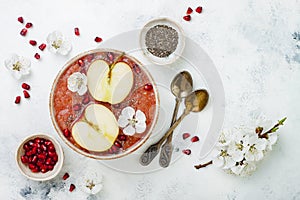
(18, 66)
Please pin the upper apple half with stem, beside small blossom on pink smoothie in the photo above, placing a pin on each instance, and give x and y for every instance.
(109, 85)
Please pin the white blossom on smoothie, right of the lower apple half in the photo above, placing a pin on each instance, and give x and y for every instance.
(132, 122)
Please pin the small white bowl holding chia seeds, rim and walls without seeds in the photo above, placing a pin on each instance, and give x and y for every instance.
(180, 46)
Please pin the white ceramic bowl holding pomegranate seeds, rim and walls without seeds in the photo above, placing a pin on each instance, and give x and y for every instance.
(39, 176)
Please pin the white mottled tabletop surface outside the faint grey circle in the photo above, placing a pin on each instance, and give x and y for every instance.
(254, 46)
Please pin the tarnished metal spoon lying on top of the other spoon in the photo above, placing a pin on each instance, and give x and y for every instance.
(194, 102)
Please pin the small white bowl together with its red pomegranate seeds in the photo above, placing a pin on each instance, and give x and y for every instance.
(39, 157)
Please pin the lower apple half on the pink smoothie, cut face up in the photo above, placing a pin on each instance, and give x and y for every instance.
(99, 131)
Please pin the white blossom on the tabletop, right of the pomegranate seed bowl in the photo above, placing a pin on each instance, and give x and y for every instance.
(90, 182)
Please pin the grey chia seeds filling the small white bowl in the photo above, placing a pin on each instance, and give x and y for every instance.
(161, 40)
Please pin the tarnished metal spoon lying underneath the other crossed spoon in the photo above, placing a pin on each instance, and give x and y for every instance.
(181, 87)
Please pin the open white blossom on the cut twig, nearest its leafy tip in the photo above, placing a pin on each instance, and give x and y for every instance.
(256, 147)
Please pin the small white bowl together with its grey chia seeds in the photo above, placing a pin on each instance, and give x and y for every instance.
(162, 41)
